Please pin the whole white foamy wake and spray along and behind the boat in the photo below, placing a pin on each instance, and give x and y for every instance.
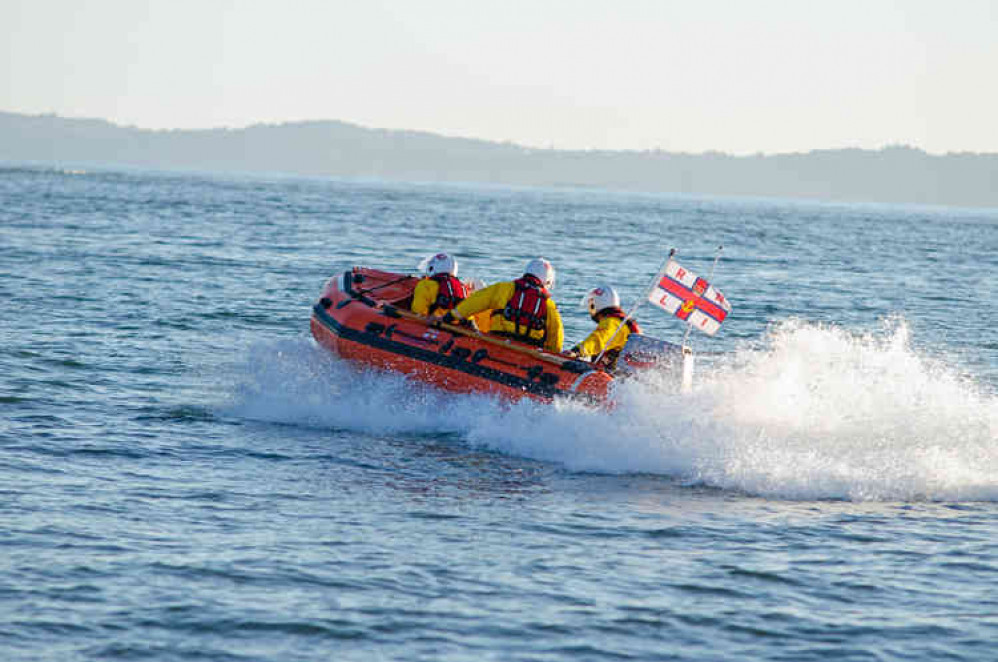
(812, 412)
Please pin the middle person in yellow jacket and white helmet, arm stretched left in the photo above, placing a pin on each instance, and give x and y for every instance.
(521, 310)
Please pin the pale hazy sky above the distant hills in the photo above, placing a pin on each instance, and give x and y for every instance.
(738, 76)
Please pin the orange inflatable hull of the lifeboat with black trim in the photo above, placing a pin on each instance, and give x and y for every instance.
(363, 316)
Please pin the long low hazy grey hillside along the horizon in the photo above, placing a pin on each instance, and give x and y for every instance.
(893, 174)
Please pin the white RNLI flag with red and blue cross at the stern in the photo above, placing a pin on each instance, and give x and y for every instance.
(690, 298)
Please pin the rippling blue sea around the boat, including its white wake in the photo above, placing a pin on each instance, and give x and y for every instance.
(186, 475)
